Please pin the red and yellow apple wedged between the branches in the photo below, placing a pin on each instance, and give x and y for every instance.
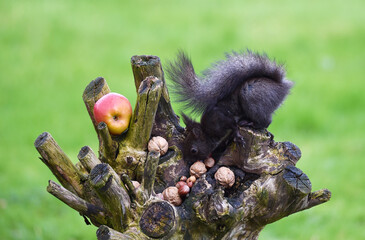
(115, 110)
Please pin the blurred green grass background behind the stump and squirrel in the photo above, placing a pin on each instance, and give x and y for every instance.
(50, 50)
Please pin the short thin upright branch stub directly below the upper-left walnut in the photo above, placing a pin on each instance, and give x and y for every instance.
(149, 175)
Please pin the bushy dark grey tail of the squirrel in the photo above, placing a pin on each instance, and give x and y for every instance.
(221, 79)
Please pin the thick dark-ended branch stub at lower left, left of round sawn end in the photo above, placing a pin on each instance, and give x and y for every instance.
(112, 194)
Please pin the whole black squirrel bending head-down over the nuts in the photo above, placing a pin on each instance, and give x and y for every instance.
(242, 90)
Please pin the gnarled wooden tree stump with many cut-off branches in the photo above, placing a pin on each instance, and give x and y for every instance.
(267, 185)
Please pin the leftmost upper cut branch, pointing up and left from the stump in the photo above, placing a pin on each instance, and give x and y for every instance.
(58, 162)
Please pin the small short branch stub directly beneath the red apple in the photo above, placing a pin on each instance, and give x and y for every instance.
(108, 146)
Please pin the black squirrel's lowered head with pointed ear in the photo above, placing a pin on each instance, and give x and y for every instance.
(196, 145)
